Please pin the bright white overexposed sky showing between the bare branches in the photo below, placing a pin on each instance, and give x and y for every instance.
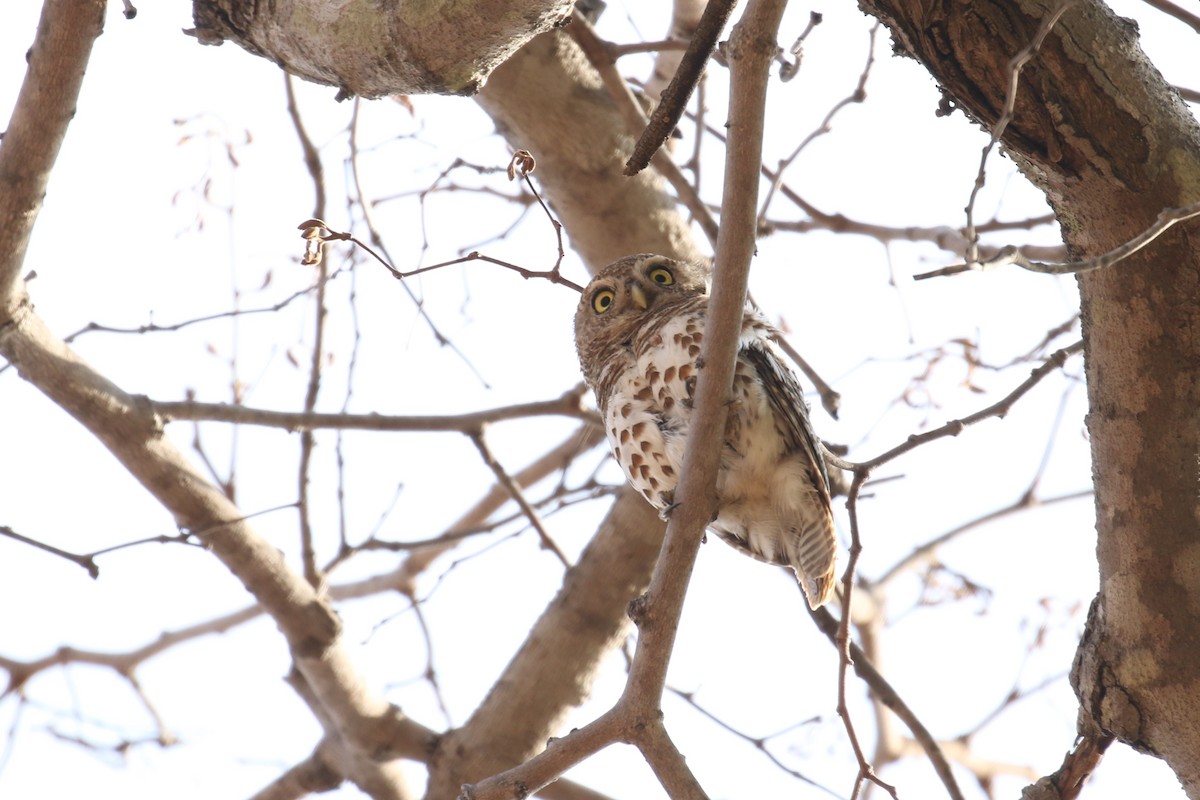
(116, 245)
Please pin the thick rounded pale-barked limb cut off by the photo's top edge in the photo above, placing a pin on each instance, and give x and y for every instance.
(373, 50)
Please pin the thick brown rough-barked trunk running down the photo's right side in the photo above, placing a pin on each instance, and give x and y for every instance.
(1112, 145)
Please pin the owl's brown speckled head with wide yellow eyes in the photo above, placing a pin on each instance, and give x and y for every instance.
(626, 297)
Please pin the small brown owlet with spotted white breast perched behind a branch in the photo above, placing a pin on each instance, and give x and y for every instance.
(638, 333)
